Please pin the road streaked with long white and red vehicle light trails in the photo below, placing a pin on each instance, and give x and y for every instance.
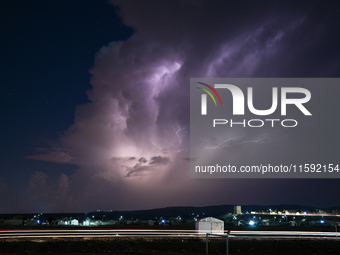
(68, 233)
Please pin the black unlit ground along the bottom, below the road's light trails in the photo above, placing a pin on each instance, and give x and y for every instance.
(168, 245)
